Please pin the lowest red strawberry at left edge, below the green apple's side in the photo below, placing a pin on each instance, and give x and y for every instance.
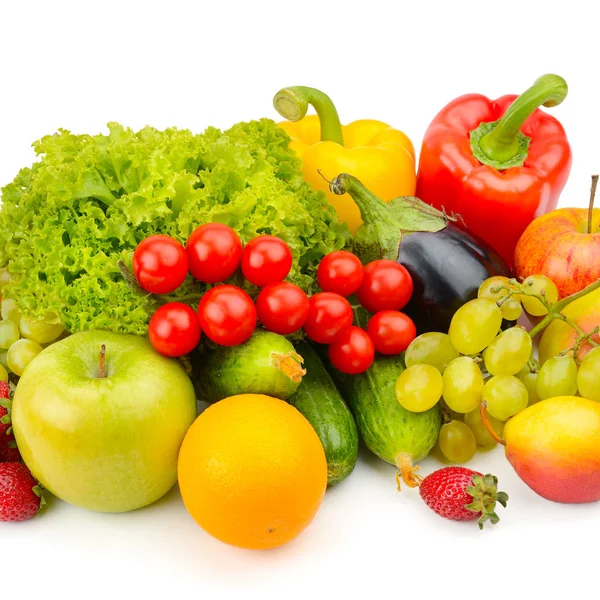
(20, 494)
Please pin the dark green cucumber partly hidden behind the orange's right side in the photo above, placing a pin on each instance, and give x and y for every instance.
(320, 402)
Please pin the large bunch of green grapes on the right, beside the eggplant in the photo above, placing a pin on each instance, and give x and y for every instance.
(476, 361)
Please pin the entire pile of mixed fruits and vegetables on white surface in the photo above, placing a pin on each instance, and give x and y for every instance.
(231, 251)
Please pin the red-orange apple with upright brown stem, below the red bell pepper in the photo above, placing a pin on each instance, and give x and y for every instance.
(563, 245)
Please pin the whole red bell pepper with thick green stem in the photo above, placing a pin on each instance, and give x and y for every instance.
(497, 163)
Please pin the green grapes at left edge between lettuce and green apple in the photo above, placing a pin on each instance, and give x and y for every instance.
(21, 340)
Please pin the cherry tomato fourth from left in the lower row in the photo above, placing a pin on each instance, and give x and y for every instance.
(329, 316)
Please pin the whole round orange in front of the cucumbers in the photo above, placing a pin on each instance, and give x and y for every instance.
(252, 471)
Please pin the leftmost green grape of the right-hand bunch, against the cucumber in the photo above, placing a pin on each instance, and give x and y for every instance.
(419, 388)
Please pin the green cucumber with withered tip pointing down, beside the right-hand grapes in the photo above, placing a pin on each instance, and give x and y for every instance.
(394, 434)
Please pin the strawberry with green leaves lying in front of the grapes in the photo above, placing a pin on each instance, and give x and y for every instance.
(460, 494)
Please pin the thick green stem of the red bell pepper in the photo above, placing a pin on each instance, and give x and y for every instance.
(502, 143)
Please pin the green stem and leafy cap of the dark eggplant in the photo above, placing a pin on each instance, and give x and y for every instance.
(384, 223)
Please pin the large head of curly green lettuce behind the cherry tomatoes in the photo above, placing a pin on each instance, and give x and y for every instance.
(67, 221)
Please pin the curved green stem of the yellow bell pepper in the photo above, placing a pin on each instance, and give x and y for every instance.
(292, 104)
